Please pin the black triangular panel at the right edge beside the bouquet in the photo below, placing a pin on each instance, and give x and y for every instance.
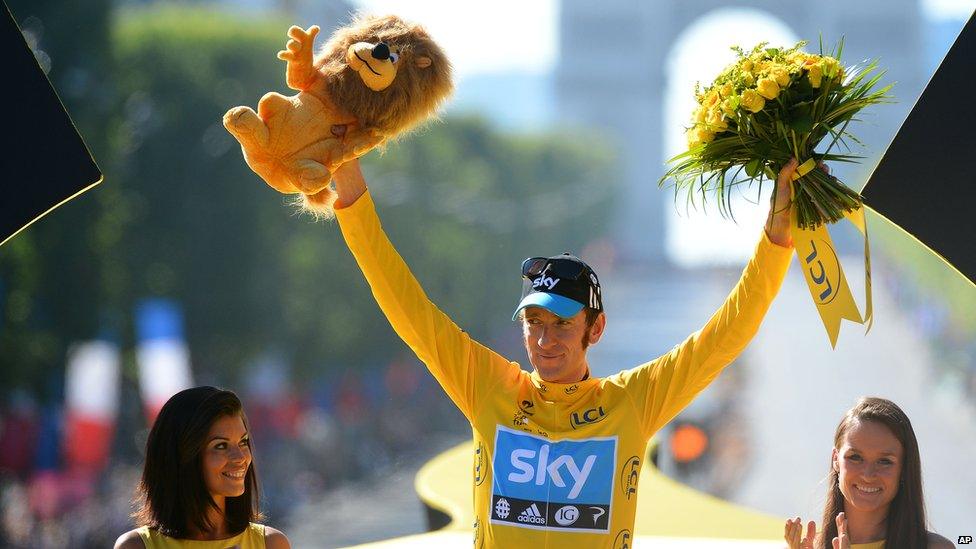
(926, 180)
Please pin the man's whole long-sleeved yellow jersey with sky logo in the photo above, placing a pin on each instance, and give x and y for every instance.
(556, 465)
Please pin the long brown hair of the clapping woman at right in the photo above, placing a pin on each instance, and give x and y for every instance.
(906, 526)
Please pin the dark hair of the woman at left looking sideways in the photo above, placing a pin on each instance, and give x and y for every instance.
(172, 494)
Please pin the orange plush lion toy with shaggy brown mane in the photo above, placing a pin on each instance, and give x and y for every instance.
(373, 80)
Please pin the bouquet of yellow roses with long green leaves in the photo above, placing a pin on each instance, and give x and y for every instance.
(769, 105)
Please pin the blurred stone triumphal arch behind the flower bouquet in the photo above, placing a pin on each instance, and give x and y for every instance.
(612, 76)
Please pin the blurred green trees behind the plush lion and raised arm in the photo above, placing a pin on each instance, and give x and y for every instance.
(181, 216)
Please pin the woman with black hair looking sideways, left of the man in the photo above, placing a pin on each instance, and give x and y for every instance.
(199, 487)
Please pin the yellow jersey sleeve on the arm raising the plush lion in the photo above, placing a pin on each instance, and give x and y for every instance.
(464, 368)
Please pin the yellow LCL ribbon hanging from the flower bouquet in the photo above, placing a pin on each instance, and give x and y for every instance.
(822, 270)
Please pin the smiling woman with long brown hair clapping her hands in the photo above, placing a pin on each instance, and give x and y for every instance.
(874, 486)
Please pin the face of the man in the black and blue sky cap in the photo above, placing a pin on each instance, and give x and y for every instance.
(555, 344)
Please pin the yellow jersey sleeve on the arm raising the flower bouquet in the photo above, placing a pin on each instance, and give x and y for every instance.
(661, 388)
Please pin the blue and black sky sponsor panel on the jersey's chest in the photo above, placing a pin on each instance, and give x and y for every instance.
(564, 485)
